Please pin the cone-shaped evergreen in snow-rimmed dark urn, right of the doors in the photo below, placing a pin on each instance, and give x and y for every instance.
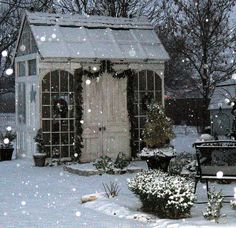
(156, 135)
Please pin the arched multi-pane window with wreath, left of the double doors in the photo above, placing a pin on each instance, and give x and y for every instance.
(58, 118)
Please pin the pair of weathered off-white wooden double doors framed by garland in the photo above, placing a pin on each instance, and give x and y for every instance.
(106, 124)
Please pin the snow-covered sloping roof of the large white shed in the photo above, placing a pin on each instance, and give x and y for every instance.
(96, 37)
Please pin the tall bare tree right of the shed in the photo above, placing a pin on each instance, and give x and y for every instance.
(206, 41)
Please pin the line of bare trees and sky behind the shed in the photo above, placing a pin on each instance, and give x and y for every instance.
(197, 34)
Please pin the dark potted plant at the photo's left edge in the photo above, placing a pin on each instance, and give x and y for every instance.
(6, 148)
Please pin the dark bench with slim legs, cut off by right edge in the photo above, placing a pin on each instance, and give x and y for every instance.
(216, 160)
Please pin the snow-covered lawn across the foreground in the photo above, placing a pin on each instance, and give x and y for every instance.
(50, 197)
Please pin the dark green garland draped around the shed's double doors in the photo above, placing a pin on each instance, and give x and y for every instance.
(106, 66)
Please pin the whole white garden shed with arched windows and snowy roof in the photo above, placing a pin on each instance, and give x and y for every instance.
(85, 81)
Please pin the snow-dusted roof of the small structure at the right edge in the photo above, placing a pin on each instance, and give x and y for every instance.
(224, 90)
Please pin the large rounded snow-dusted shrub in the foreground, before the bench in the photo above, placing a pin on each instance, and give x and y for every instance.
(167, 196)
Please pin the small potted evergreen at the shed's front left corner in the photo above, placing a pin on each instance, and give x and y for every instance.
(40, 157)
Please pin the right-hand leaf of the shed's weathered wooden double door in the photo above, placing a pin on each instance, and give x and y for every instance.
(116, 134)
